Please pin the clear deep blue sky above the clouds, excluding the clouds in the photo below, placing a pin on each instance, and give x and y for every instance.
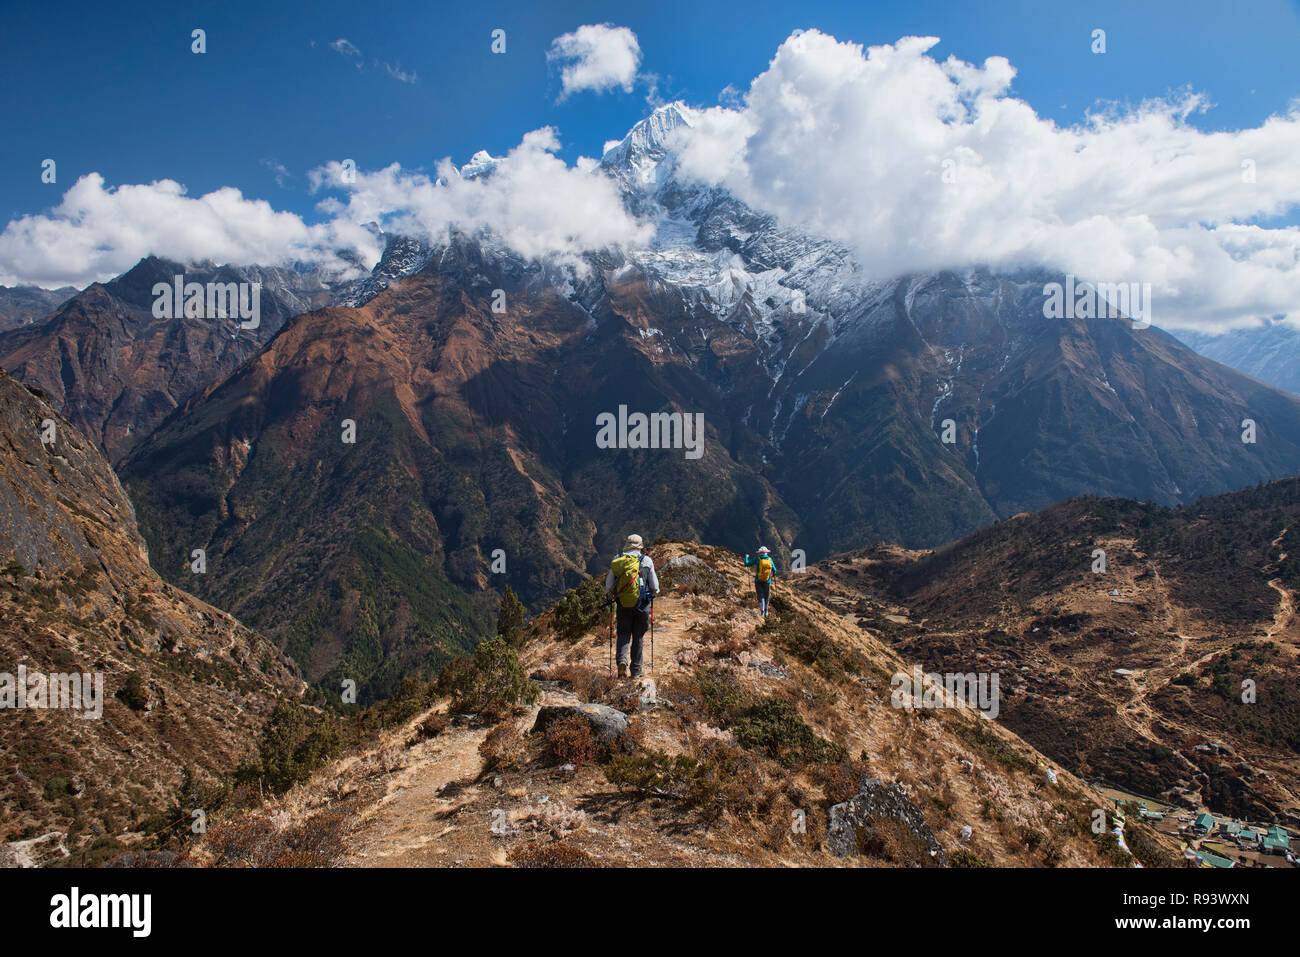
(115, 89)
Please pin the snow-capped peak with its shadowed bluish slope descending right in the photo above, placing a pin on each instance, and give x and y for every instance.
(857, 376)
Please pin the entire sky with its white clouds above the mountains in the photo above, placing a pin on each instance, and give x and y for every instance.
(1169, 161)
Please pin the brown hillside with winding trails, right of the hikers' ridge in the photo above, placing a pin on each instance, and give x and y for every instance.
(1171, 673)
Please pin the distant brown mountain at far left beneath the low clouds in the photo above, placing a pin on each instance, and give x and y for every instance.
(116, 371)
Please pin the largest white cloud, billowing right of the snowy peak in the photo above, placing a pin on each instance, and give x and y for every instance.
(920, 164)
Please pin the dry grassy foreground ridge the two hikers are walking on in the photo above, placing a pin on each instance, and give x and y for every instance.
(751, 744)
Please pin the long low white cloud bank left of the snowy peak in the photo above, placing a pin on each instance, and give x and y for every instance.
(532, 201)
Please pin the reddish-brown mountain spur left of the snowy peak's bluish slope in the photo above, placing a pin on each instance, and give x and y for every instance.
(474, 432)
